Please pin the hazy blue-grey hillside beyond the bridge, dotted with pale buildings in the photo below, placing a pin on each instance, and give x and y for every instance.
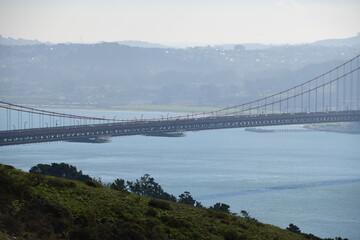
(110, 74)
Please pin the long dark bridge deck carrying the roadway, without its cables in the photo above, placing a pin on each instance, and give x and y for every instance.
(149, 127)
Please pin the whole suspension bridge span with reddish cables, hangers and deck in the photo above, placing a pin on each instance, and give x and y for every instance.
(331, 97)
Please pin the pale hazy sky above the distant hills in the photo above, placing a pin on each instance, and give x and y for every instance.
(180, 22)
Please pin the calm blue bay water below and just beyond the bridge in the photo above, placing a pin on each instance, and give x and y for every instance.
(311, 179)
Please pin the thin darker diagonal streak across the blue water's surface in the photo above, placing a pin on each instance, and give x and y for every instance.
(279, 188)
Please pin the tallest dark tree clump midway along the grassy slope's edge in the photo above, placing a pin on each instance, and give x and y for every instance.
(146, 186)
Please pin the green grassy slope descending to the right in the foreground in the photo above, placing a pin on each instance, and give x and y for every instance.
(34, 206)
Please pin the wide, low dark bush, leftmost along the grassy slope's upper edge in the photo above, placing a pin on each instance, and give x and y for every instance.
(62, 170)
